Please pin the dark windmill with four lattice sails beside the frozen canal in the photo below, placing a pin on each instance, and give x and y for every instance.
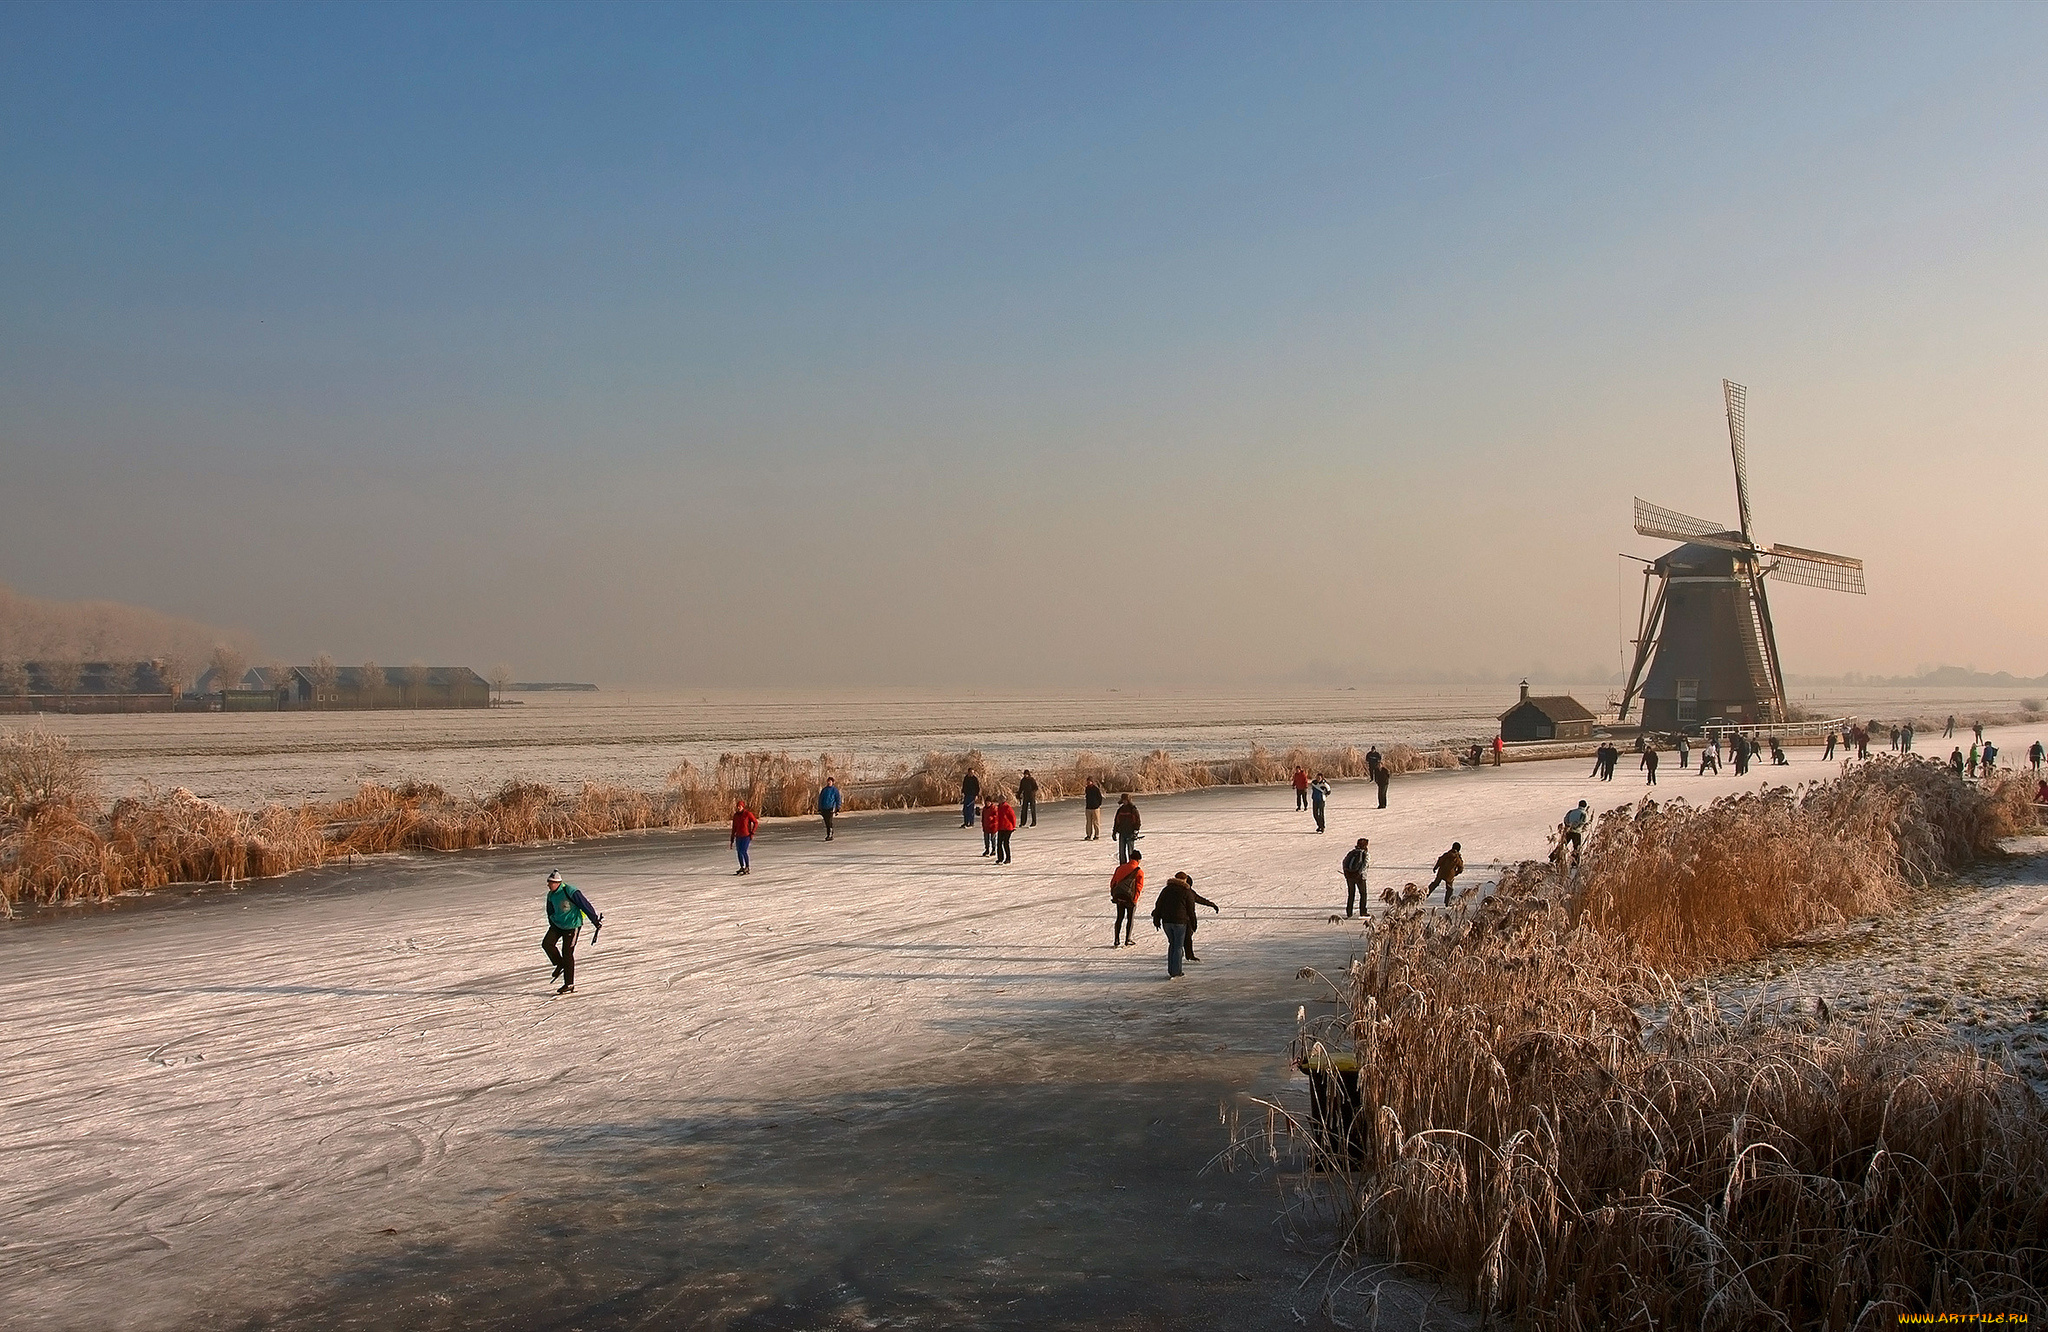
(1705, 632)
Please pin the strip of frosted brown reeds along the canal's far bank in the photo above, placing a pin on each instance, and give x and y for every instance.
(62, 843)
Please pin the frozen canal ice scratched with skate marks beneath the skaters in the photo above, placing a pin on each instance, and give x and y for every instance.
(880, 1081)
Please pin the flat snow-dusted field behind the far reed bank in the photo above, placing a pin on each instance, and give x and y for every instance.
(636, 739)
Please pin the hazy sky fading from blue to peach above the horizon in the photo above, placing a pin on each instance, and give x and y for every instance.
(1019, 345)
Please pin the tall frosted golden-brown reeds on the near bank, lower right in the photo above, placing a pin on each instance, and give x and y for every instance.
(1545, 1116)
